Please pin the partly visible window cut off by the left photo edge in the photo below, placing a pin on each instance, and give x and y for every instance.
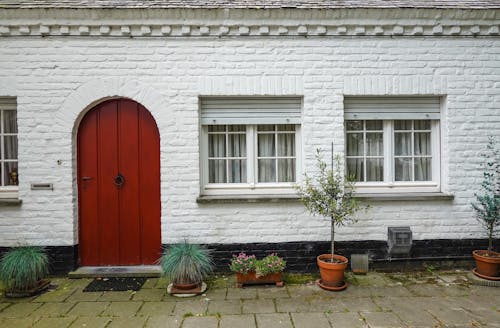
(8, 146)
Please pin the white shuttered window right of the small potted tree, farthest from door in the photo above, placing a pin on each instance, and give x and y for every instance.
(402, 152)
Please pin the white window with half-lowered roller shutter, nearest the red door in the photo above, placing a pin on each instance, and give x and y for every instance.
(259, 156)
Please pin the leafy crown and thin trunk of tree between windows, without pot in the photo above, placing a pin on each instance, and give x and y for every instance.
(329, 194)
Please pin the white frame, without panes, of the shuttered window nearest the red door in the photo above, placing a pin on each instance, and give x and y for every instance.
(252, 187)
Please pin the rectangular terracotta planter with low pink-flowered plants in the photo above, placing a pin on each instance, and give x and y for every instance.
(251, 271)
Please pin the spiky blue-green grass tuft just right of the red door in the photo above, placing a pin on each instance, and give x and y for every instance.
(186, 263)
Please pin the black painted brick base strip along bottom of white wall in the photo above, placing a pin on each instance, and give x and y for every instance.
(301, 256)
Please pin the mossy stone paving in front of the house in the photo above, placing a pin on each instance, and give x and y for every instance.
(438, 299)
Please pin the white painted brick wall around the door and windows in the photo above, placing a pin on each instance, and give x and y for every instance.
(56, 79)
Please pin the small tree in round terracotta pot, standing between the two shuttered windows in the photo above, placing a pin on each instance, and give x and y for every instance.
(329, 193)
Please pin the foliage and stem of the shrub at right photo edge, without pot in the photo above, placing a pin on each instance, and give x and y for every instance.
(487, 204)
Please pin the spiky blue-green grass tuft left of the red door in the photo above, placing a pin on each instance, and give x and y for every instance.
(22, 267)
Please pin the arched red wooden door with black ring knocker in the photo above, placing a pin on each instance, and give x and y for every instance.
(119, 185)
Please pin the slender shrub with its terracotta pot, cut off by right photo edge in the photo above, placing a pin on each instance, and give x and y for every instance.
(487, 209)
